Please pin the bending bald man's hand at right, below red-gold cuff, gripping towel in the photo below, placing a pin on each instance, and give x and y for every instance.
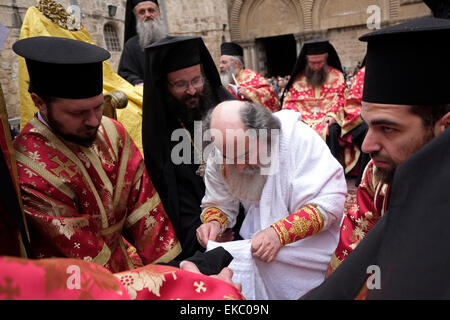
(265, 245)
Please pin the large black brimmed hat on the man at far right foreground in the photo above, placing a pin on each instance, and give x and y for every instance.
(408, 63)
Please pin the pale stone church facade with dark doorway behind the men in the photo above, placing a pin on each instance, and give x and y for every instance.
(270, 31)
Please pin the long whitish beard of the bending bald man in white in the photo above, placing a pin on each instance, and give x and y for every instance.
(247, 185)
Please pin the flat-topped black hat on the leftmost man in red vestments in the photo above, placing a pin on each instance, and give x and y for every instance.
(63, 68)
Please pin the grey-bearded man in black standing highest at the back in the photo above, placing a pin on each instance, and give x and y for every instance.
(143, 26)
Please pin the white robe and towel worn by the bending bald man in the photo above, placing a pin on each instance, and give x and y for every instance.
(308, 174)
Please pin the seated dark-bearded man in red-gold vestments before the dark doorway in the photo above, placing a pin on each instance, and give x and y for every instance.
(317, 90)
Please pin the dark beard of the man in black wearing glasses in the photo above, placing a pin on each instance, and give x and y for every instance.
(189, 115)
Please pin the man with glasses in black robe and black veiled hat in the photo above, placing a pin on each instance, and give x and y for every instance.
(181, 84)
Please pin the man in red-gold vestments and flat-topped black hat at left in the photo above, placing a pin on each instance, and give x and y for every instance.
(80, 173)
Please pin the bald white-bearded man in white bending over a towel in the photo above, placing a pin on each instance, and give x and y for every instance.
(293, 203)
